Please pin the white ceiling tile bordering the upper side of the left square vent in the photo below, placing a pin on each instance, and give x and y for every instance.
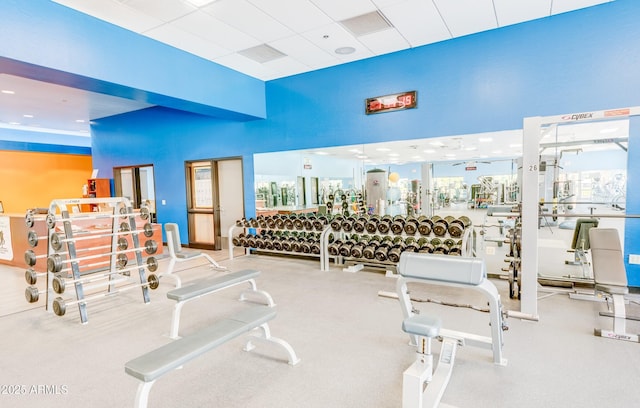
(254, 22)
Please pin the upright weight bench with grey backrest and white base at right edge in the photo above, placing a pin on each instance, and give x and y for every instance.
(610, 278)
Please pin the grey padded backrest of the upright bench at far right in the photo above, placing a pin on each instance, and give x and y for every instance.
(607, 257)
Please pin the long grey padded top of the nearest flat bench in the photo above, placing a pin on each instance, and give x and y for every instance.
(158, 362)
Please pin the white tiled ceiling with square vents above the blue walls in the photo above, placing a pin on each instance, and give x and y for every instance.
(269, 39)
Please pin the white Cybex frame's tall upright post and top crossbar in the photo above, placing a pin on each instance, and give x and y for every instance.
(530, 172)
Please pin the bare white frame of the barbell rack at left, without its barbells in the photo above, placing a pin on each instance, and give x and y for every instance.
(120, 208)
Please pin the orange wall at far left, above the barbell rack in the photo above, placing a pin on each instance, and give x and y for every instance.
(29, 180)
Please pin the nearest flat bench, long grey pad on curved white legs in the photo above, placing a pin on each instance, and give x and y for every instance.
(149, 367)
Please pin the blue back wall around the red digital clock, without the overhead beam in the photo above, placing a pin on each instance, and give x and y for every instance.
(579, 61)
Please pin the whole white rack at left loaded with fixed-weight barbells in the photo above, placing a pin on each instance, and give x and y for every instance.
(89, 268)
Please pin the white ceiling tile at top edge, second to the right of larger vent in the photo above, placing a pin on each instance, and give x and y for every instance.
(462, 23)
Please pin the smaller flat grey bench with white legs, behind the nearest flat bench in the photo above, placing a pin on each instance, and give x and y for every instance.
(206, 286)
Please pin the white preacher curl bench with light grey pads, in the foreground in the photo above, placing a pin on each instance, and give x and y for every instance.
(442, 270)
